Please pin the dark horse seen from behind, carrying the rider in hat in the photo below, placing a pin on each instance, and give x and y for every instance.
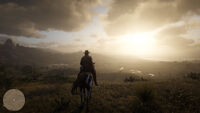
(84, 82)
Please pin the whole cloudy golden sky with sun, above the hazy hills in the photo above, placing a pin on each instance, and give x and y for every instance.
(151, 29)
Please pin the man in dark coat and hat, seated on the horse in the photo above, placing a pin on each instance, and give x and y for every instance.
(87, 65)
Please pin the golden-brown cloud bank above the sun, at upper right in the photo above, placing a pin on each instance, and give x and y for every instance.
(143, 15)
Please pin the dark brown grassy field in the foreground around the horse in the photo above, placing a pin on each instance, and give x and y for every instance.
(52, 95)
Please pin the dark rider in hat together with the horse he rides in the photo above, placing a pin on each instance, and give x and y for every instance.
(84, 80)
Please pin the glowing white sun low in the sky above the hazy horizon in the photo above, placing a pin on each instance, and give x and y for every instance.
(141, 44)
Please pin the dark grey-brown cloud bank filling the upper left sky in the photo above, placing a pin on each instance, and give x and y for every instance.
(29, 17)
